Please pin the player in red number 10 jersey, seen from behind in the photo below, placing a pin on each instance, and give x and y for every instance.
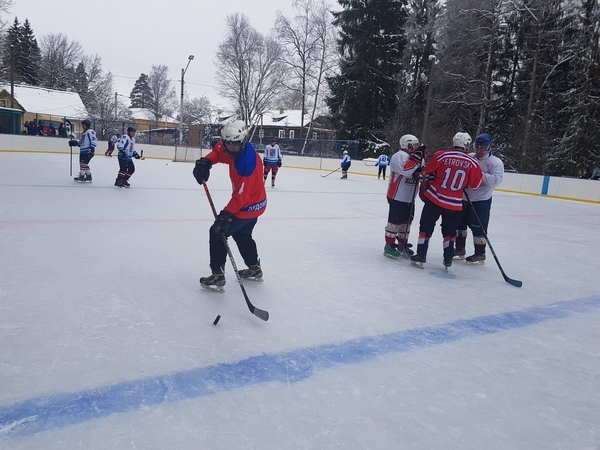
(447, 174)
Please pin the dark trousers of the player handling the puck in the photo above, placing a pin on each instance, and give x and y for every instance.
(241, 232)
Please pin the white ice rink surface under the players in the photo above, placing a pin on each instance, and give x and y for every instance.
(107, 341)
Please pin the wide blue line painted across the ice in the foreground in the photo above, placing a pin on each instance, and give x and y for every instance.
(45, 413)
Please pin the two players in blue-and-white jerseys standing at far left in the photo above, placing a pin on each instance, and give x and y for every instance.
(87, 148)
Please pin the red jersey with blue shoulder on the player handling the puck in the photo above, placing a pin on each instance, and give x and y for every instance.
(249, 198)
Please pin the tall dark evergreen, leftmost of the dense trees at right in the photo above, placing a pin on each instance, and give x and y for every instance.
(363, 96)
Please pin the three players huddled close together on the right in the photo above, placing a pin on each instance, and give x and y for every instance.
(455, 184)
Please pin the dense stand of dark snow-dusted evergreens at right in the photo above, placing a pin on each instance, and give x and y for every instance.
(526, 71)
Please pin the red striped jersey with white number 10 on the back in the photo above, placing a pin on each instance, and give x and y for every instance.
(454, 171)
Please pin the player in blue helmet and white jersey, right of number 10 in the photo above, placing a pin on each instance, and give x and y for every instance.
(480, 203)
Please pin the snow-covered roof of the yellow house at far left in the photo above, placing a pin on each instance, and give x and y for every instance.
(40, 100)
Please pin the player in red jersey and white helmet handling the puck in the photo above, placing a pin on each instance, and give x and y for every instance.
(248, 201)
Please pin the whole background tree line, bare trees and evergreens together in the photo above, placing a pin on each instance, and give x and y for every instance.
(526, 71)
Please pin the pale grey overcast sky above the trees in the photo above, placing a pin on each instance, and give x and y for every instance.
(132, 35)
